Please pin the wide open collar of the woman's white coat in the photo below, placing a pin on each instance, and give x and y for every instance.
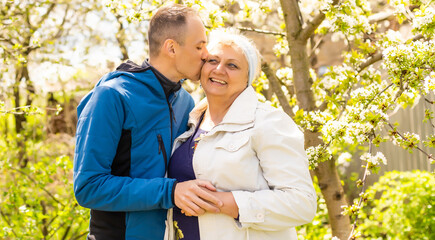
(240, 116)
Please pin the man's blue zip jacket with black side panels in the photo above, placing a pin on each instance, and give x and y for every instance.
(124, 136)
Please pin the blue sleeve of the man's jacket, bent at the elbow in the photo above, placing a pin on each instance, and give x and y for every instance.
(99, 129)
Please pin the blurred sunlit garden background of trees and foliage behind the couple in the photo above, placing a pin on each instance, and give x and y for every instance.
(362, 63)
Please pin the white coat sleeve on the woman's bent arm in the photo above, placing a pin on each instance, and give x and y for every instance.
(291, 198)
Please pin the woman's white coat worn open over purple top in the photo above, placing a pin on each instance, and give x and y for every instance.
(257, 153)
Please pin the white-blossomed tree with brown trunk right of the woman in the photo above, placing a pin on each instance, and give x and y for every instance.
(349, 105)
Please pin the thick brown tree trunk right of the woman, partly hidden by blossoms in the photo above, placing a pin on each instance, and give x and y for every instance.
(326, 172)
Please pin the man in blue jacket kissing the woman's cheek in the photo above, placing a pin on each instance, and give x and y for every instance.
(126, 128)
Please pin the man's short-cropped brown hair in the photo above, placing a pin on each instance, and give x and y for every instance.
(168, 22)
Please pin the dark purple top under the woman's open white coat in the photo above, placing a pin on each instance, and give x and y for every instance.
(180, 168)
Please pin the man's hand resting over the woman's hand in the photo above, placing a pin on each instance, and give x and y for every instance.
(193, 200)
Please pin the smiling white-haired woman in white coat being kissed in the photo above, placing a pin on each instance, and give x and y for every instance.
(252, 153)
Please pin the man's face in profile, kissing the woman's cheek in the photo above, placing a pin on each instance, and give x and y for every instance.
(191, 55)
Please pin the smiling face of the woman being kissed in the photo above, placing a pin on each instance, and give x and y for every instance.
(225, 73)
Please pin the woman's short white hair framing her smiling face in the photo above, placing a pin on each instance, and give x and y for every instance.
(232, 37)
